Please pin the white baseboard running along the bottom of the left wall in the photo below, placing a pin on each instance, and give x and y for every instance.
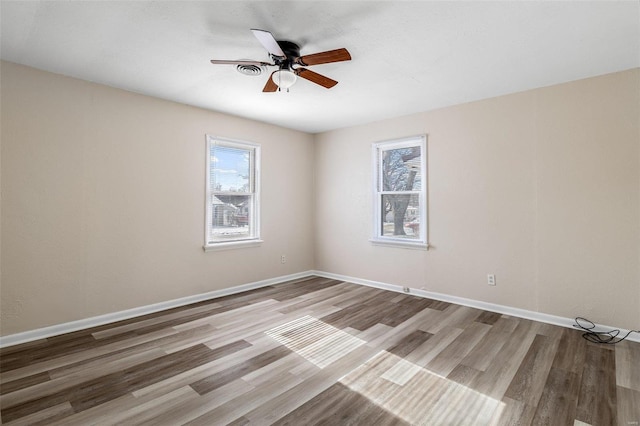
(54, 330)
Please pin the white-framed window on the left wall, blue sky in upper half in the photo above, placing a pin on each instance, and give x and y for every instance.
(233, 196)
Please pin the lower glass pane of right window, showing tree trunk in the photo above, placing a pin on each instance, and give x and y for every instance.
(400, 216)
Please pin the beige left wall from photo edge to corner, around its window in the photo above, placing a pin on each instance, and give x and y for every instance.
(103, 201)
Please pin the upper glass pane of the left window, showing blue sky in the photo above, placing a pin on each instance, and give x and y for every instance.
(230, 169)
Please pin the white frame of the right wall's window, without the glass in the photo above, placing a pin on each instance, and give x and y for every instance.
(377, 231)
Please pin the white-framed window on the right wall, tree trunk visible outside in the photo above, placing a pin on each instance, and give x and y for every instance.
(400, 200)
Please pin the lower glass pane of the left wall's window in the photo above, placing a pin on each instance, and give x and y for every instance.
(230, 217)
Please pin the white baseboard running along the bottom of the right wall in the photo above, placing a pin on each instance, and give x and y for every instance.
(501, 309)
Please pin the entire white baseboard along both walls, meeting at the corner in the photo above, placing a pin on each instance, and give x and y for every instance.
(54, 330)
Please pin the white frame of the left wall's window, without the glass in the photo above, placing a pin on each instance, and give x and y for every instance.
(254, 222)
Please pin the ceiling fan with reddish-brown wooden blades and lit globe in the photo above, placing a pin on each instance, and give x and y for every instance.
(286, 56)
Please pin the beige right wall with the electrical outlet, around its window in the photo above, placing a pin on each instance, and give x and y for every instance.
(541, 188)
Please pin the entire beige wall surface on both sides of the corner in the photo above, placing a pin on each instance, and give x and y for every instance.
(103, 201)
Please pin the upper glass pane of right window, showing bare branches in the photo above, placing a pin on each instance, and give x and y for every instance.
(401, 169)
